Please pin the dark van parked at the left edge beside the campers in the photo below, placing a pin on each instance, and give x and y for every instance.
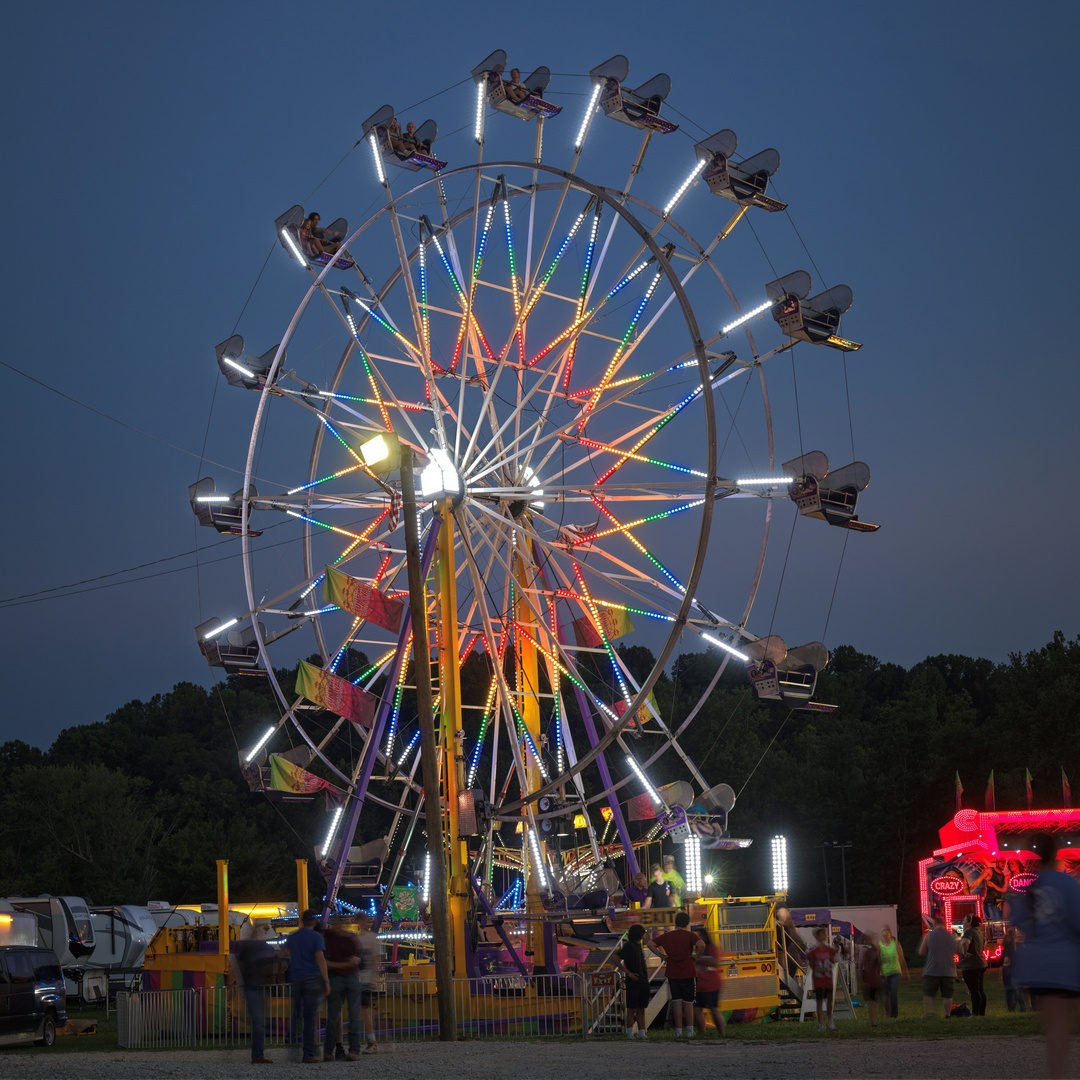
(33, 998)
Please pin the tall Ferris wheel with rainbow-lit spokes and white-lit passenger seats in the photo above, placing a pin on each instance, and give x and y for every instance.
(570, 368)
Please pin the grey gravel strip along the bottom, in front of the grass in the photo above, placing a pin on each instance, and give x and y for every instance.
(978, 1059)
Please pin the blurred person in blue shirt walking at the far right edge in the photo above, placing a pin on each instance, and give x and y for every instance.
(1048, 962)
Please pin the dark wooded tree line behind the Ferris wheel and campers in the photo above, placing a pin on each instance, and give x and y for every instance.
(139, 806)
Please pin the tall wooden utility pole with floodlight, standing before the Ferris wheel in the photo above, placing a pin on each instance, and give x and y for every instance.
(429, 760)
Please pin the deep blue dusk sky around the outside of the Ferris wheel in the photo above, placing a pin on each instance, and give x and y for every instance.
(929, 157)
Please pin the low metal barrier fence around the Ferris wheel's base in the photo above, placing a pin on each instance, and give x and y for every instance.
(404, 1009)
